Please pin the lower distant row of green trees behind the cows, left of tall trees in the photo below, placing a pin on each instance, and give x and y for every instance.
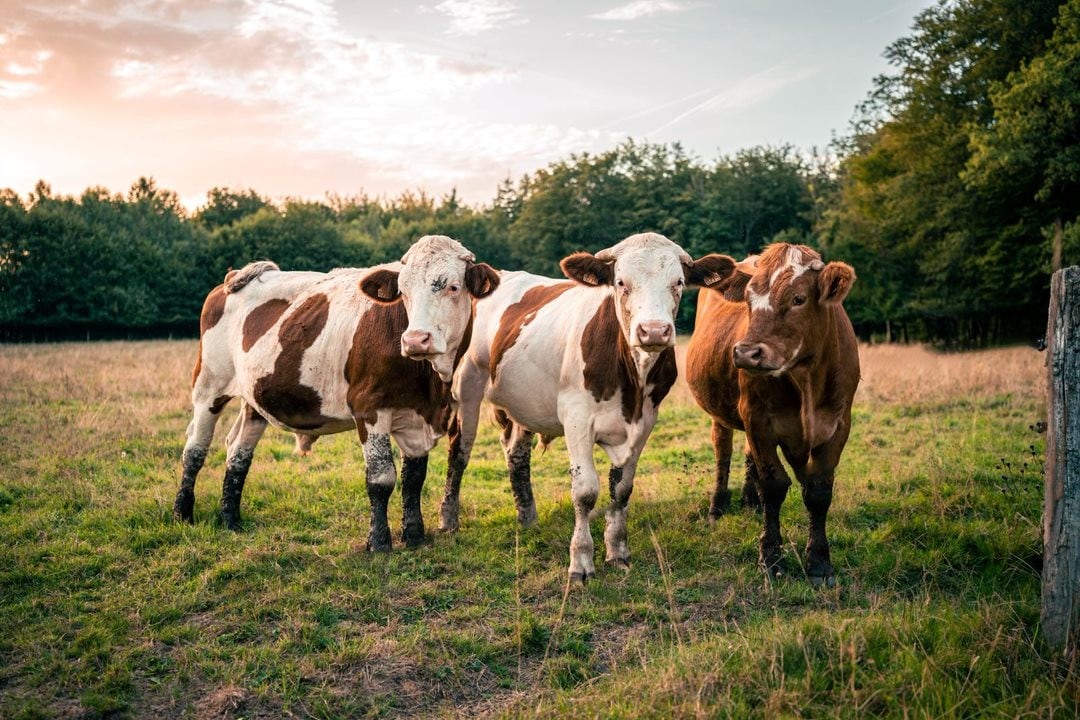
(103, 265)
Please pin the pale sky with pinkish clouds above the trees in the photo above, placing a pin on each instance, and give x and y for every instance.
(307, 98)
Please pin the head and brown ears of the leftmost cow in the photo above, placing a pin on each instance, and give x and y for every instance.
(437, 282)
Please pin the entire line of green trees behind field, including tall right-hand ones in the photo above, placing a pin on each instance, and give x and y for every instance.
(954, 195)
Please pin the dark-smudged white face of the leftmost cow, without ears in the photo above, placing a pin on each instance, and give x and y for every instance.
(437, 302)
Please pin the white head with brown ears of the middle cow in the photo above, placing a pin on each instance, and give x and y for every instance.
(647, 274)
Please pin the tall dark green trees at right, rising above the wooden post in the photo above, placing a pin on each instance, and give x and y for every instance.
(940, 208)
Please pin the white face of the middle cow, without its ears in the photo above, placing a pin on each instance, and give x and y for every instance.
(649, 284)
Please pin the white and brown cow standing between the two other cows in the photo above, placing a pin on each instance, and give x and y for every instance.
(590, 360)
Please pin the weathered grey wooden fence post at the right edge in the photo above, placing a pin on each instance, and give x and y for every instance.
(1061, 515)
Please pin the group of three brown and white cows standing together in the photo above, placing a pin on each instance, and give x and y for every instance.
(409, 350)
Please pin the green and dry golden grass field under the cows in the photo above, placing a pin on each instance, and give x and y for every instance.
(109, 608)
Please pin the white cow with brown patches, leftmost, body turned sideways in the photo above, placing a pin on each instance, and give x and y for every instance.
(371, 350)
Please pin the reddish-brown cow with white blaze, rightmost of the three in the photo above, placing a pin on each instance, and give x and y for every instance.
(776, 357)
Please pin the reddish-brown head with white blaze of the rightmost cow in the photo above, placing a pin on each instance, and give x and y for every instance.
(791, 295)
